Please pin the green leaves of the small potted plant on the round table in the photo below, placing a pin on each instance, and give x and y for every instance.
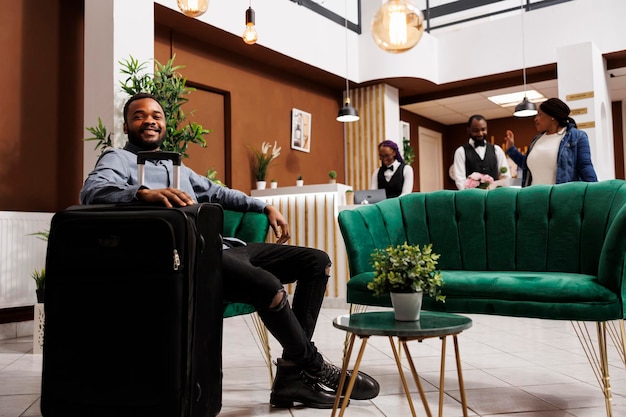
(406, 268)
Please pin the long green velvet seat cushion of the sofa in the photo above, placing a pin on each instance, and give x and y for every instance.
(526, 294)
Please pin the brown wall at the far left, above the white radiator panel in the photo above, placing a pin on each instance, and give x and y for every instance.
(41, 106)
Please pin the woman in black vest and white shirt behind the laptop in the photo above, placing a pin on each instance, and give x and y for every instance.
(394, 176)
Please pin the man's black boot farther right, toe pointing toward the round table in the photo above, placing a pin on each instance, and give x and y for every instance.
(365, 387)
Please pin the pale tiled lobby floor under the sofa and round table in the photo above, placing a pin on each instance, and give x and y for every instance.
(511, 367)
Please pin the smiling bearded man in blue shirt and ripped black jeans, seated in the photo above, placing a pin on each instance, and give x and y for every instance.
(253, 273)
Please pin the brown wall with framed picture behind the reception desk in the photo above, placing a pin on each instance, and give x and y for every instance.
(258, 100)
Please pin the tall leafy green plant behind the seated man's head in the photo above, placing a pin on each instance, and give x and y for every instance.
(171, 89)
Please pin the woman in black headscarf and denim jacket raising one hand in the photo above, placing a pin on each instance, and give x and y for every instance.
(559, 153)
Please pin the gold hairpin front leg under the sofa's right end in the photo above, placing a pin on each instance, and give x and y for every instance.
(598, 359)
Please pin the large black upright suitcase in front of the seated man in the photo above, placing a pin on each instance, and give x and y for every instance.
(133, 312)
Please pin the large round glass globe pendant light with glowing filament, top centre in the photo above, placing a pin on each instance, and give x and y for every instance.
(397, 26)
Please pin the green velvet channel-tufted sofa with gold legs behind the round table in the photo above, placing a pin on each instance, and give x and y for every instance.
(552, 252)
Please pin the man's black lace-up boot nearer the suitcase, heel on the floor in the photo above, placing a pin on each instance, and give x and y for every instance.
(292, 386)
